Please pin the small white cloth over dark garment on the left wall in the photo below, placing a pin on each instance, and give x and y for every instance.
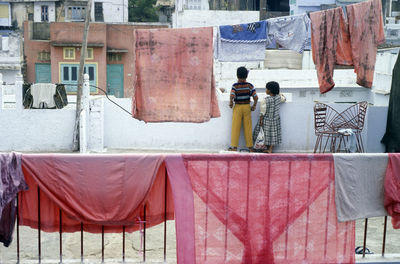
(43, 95)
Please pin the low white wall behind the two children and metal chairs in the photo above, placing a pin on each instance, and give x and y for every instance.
(124, 132)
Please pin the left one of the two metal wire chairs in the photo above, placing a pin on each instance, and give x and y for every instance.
(327, 134)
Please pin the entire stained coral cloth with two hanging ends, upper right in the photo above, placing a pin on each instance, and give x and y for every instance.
(337, 41)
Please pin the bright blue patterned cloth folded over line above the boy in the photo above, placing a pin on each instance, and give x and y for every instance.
(244, 33)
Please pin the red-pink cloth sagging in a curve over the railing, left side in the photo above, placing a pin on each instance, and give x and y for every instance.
(96, 190)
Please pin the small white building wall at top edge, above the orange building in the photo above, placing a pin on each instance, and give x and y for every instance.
(114, 11)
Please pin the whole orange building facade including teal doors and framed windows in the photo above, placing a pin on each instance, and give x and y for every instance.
(110, 60)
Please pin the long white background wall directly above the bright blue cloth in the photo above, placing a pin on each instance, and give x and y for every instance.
(194, 18)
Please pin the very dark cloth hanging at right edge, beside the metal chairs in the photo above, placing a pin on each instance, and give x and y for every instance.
(391, 139)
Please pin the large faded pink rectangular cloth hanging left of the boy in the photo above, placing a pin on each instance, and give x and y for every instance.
(175, 81)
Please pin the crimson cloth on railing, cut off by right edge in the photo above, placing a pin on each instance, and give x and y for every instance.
(392, 189)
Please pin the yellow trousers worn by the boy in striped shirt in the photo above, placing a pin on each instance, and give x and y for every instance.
(241, 113)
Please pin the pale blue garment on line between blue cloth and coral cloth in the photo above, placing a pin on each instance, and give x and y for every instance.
(290, 32)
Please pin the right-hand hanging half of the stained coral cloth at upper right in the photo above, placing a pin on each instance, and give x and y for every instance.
(366, 33)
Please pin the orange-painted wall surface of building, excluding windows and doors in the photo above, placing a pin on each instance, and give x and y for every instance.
(112, 36)
